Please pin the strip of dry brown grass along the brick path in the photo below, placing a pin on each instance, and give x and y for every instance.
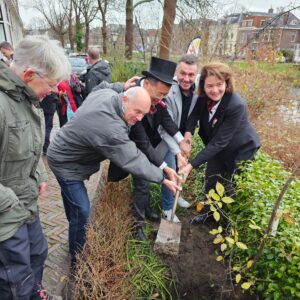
(101, 270)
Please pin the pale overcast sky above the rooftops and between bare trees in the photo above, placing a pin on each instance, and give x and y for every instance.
(251, 5)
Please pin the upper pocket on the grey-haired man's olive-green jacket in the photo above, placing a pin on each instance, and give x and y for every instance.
(19, 141)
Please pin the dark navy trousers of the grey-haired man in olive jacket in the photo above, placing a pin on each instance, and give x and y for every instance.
(22, 260)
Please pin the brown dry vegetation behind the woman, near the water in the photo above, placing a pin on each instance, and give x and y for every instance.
(264, 93)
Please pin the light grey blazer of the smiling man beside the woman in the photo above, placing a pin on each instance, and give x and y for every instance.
(174, 106)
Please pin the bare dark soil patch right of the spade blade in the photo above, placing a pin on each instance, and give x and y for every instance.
(197, 273)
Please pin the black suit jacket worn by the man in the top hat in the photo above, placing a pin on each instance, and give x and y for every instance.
(146, 136)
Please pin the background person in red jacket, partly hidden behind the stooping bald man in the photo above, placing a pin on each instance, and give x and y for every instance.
(66, 102)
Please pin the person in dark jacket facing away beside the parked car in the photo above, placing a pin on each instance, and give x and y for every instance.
(97, 71)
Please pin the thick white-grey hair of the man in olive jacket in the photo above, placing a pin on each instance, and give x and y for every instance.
(42, 55)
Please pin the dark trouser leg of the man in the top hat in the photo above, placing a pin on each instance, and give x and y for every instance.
(141, 195)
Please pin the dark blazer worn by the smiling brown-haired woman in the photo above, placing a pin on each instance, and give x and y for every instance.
(229, 135)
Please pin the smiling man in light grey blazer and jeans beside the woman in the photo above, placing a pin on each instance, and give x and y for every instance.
(180, 103)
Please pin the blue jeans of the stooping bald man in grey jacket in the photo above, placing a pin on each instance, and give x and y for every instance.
(77, 208)
